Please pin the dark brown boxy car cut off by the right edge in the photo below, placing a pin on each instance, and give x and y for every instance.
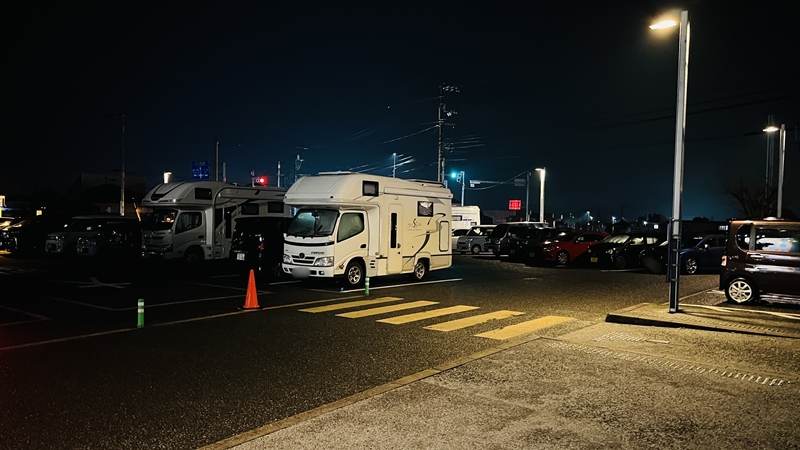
(761, 261)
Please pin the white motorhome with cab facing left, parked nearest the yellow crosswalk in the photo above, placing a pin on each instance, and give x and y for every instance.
(350, 225)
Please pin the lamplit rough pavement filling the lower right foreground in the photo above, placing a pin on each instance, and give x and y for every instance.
(686, 379)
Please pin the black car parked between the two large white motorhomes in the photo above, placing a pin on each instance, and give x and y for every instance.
(257, 244)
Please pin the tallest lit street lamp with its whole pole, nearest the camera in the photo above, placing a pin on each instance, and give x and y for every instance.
(680, 136)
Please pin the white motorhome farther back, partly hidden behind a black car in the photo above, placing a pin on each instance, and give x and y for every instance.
(193, 220)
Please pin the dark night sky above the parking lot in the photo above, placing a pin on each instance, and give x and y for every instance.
(583, 89)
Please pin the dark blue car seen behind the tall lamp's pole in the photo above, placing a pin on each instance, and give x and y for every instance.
(699, 253)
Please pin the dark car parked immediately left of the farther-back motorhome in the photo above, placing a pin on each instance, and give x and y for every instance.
(116, 240)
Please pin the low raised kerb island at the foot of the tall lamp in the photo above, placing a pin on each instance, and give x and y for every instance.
(714, 318)
